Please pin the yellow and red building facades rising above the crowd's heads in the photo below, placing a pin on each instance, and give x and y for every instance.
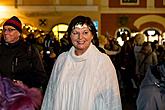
(111, 15)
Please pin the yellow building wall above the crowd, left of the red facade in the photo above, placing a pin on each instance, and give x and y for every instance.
(54, 11)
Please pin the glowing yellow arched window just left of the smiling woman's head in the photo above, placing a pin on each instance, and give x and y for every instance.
(59, 30)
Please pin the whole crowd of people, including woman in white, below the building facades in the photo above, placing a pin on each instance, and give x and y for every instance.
(82, 71)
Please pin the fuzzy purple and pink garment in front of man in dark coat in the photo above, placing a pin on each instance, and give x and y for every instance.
(17, 96)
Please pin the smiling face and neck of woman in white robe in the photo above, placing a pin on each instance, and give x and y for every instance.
(81, 38)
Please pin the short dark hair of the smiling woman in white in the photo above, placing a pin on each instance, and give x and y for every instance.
(82, 20)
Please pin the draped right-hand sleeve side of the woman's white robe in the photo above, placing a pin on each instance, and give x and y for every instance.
(109, 98)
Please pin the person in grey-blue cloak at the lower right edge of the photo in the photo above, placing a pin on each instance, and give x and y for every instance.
(152, 90)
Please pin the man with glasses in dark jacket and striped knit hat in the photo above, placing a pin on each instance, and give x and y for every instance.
(19, 61)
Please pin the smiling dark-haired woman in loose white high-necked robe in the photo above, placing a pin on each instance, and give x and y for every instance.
(82, 78)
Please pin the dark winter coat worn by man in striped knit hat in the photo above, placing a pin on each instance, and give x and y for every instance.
(22, 62)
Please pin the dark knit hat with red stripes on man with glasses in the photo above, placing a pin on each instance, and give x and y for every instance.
(14, 22)
